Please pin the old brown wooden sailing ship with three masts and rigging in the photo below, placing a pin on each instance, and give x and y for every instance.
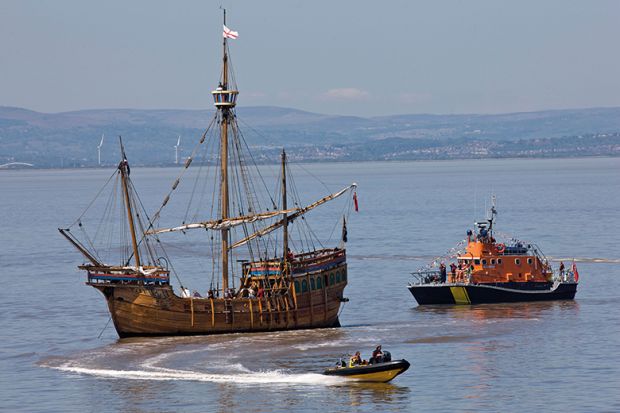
(277, 290)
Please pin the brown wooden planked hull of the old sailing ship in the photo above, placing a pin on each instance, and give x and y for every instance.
(154, 310)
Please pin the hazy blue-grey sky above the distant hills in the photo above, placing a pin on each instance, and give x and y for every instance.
(339, 57)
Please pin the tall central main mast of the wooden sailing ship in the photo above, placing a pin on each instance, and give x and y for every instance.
(225, 101)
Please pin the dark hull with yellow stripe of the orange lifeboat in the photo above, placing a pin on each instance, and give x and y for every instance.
(465, 294)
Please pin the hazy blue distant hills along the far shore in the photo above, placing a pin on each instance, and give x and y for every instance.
(70, 139)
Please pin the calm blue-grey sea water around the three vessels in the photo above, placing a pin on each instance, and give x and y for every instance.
(554, 356)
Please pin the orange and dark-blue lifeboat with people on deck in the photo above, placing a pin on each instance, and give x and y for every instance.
(489, 271)
